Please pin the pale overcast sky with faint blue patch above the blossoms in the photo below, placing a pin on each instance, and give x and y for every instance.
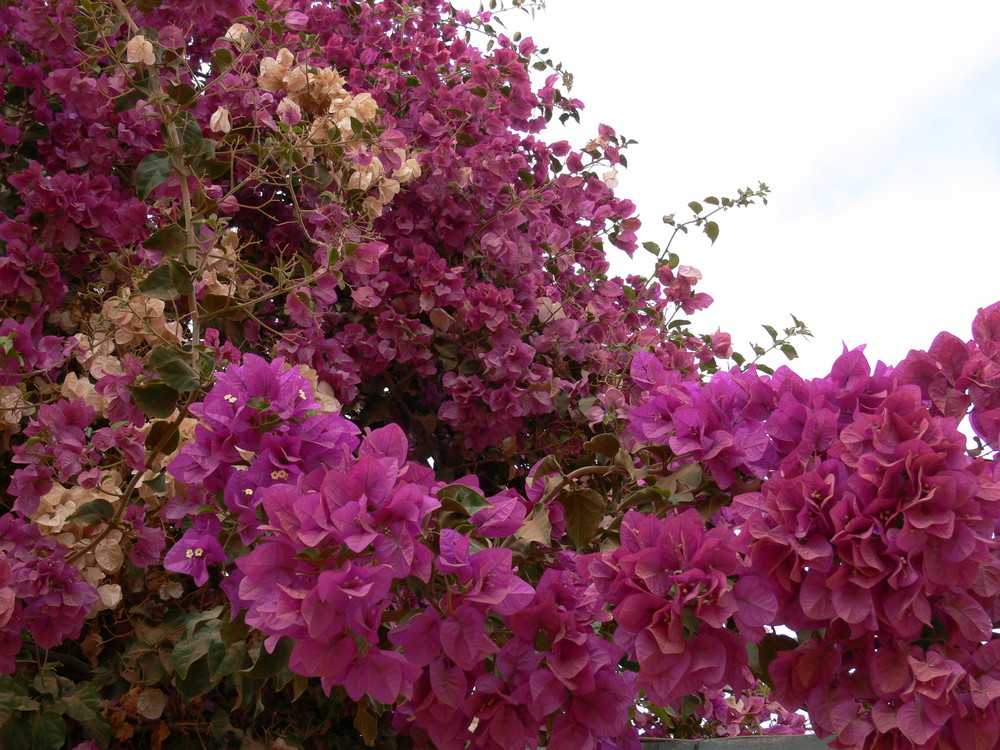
(876, 125)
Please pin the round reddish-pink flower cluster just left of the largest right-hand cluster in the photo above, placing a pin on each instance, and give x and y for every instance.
(672, 587)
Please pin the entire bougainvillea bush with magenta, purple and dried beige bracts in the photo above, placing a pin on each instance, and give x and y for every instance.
(325, 422)
